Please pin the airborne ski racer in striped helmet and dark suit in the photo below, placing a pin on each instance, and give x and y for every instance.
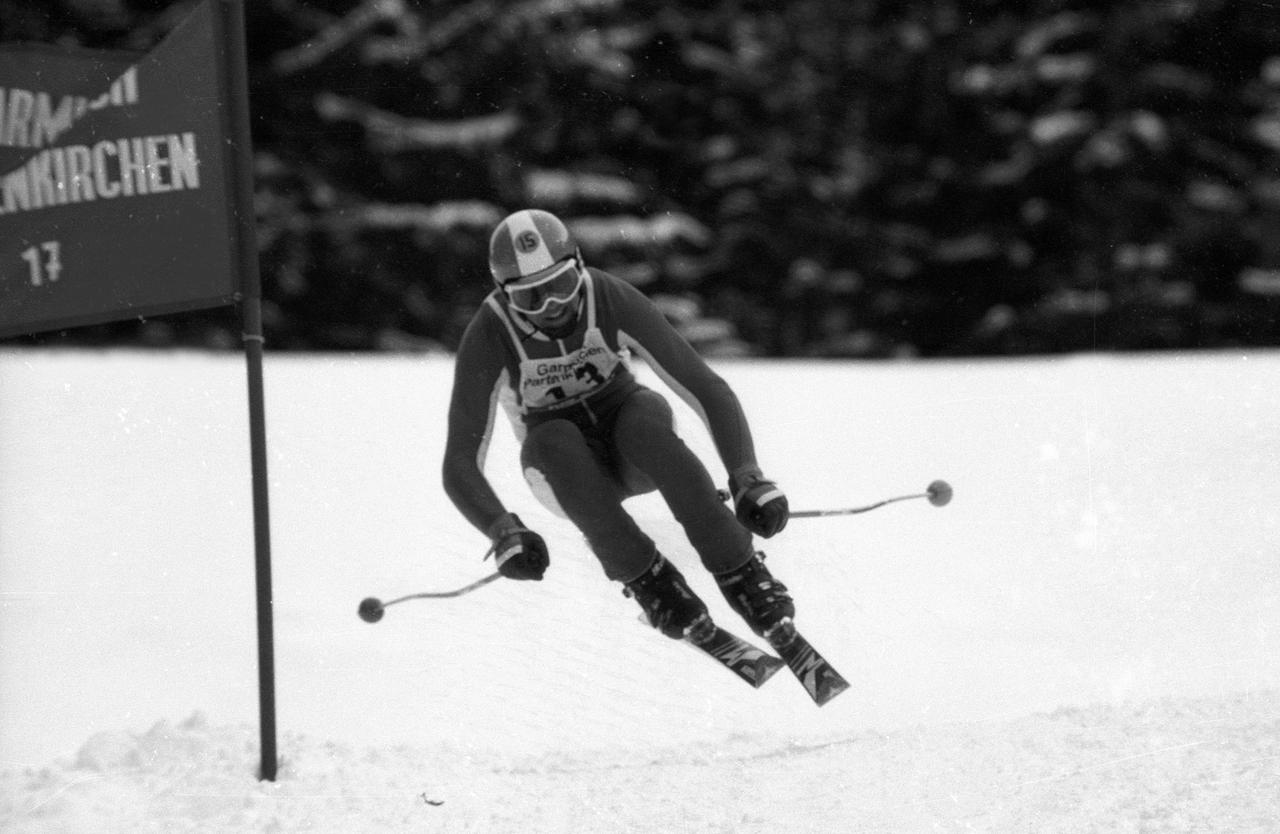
(552, 343)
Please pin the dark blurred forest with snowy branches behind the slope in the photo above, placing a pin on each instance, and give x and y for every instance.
(812, 178)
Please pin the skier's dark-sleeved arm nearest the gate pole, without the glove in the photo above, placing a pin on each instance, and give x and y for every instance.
(478, 382)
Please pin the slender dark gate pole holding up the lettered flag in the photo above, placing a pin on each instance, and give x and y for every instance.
(252, 311)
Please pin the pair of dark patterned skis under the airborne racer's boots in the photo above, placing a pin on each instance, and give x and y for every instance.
(756, 666)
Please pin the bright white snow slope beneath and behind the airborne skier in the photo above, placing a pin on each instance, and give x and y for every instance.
(1085, 640)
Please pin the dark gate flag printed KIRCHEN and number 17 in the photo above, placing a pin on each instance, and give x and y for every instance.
(116, 196)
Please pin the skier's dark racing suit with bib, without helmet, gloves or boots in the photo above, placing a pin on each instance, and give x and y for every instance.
(591, 434)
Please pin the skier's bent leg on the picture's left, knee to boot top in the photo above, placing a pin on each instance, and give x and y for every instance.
(566, 476)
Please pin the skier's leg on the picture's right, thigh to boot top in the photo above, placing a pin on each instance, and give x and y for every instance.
(646, 437)
